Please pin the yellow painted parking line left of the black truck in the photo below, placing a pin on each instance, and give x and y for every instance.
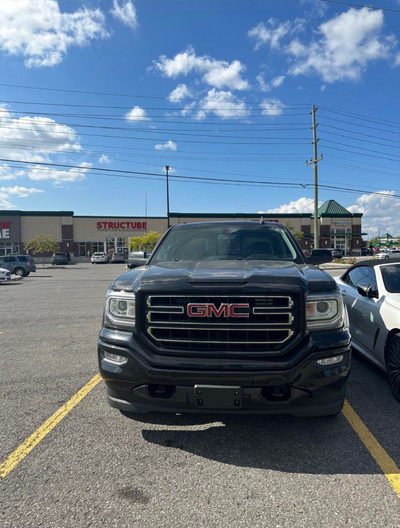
(31, 442)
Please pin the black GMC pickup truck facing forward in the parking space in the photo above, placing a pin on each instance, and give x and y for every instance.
(226, 317)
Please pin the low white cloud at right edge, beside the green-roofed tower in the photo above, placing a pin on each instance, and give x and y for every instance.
(380, 213)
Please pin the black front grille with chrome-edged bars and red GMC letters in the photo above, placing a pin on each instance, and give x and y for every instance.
(215, 322)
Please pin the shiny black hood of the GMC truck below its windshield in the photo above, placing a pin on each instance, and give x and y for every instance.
(226, 274)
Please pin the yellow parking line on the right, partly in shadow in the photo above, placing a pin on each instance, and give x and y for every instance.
(384, 461)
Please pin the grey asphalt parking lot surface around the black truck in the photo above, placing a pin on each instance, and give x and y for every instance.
(92, 466)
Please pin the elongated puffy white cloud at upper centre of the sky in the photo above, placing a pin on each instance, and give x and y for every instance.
(214, 72)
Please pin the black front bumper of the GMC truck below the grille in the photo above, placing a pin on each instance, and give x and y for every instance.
(301, 387)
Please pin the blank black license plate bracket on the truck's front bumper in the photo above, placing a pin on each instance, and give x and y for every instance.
(218, 397)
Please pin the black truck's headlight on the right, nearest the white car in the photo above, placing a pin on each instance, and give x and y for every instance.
(325, 312)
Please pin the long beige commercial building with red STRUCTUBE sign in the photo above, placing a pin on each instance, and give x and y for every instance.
(83, 235)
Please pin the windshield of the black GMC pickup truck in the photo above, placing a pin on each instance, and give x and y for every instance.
(226, 242)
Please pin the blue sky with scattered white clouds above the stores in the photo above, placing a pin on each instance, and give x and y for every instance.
(216, 89)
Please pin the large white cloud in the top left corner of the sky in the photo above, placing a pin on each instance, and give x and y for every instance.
(40, 32)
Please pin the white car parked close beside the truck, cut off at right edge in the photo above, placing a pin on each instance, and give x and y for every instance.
(371, 290)
